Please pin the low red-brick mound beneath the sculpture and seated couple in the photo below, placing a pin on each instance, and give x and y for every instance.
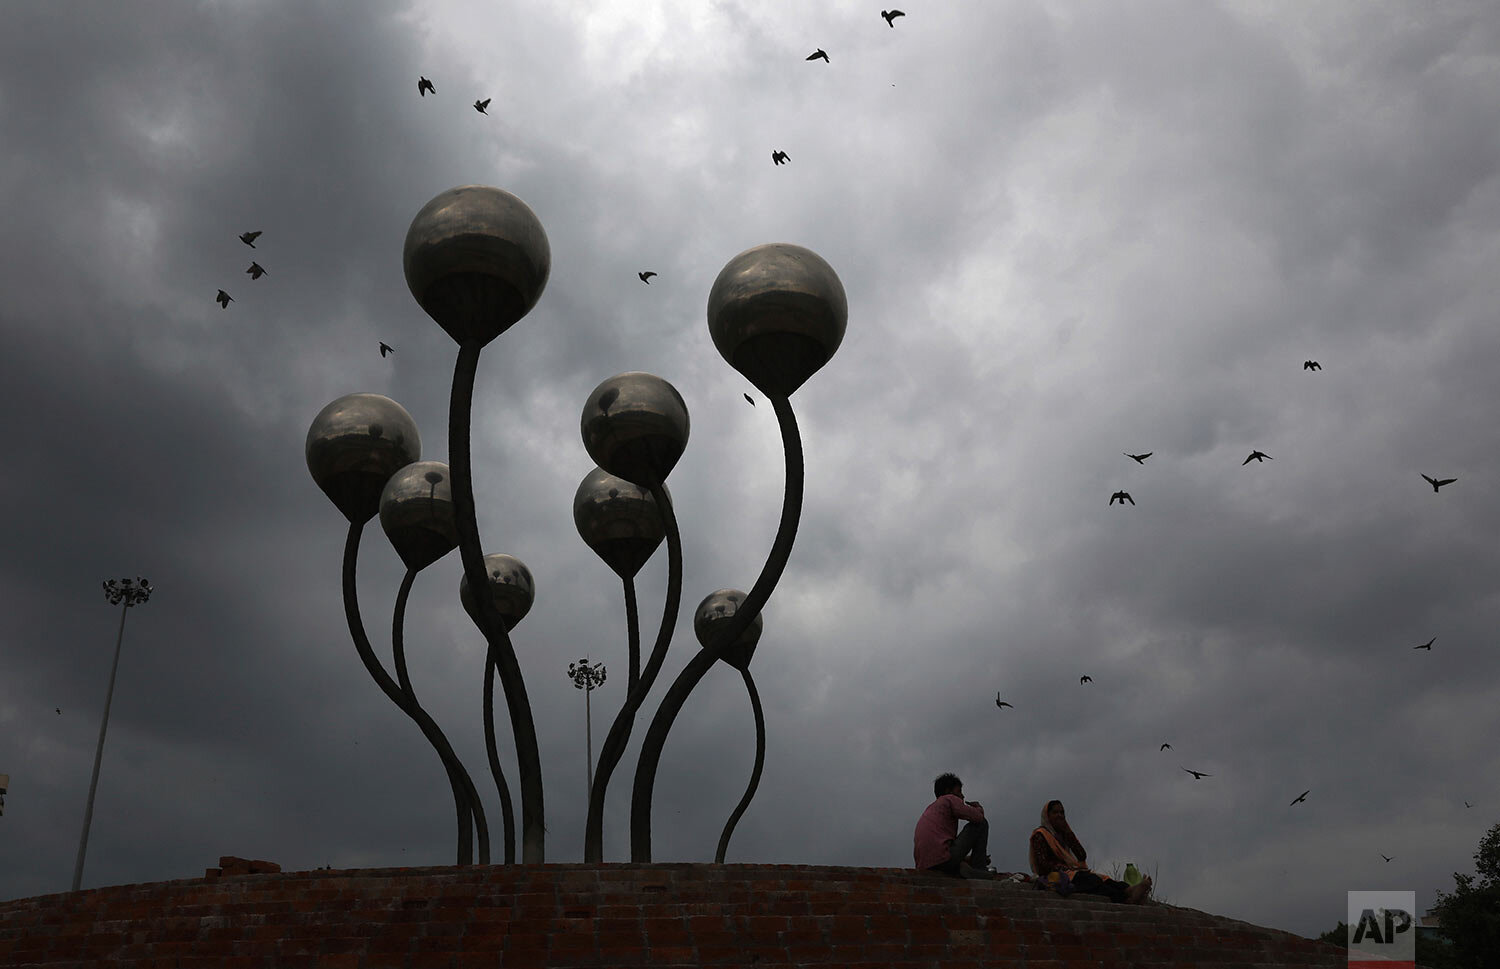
(622, 916)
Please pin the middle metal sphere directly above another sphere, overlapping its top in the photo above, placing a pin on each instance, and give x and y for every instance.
(635, 427)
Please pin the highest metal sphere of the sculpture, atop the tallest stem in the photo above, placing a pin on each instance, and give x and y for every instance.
(478, 260)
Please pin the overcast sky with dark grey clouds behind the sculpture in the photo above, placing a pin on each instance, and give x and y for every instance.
(1066, 230)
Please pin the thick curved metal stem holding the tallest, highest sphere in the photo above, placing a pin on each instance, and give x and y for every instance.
(502, 655)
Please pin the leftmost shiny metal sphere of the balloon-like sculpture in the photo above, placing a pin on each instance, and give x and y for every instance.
(355, 446)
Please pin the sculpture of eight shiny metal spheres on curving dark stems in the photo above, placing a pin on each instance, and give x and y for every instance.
(478, 260)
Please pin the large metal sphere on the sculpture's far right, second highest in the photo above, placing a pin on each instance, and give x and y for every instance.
(778, 313)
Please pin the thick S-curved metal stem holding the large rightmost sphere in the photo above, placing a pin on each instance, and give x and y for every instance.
(700, 665)
